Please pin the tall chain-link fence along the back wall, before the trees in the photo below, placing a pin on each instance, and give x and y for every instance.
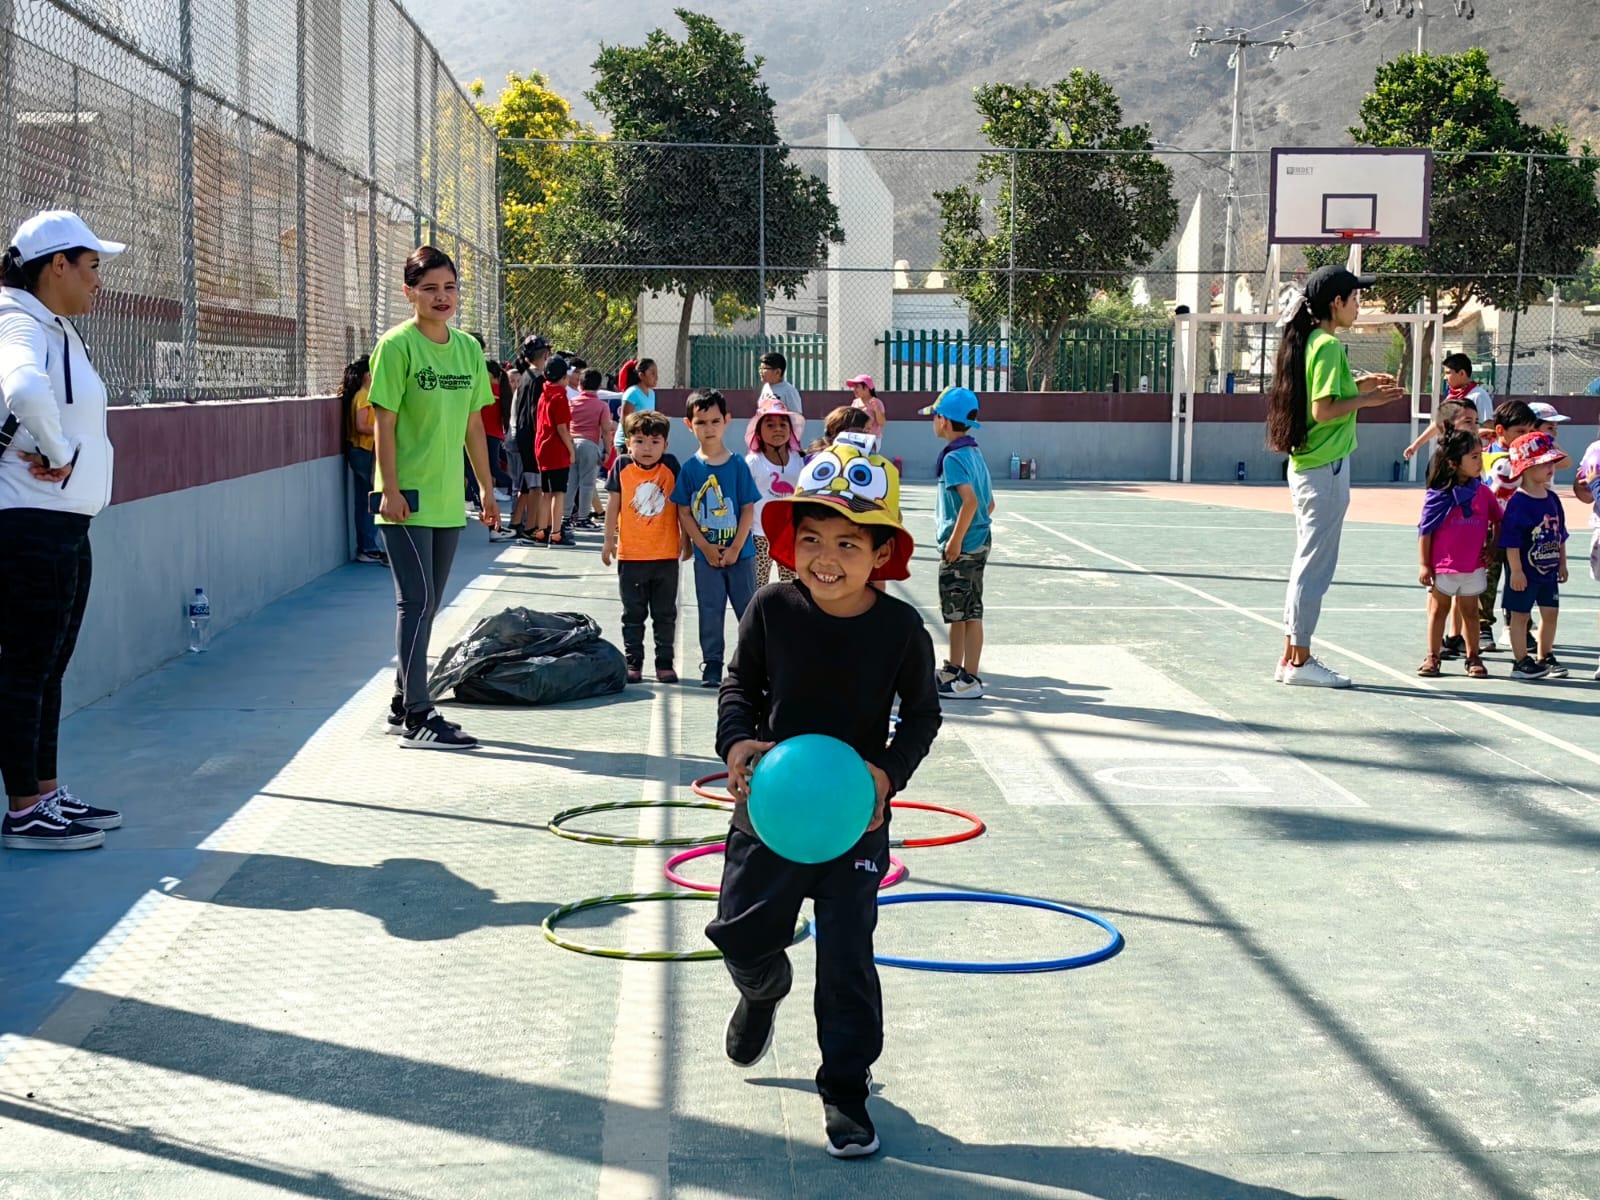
(999, 270)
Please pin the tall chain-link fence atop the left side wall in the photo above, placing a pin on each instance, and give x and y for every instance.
(270, 166)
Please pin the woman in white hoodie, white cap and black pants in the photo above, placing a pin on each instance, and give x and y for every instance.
(55, 476)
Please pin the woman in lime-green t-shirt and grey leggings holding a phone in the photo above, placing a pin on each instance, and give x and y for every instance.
(430, 390)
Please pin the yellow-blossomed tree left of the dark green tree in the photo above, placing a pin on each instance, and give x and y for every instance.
(542, 294)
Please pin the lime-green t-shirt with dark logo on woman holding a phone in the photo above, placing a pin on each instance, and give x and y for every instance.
(434, 388)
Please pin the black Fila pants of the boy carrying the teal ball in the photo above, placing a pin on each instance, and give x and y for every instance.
(756, 922)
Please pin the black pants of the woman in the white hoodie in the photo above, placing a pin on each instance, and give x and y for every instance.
(44, 588)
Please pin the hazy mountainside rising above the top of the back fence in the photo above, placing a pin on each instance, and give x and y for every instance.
(902, 71)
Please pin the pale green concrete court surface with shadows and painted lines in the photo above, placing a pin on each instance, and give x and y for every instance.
(1361, 926)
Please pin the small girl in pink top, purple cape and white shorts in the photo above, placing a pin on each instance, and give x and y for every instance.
(1454, 537)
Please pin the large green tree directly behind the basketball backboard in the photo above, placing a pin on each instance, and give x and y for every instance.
(1482, 146)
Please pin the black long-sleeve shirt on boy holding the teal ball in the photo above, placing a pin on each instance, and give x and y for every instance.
(801, 671)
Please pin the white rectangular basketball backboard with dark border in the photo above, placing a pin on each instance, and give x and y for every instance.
(1374, 196)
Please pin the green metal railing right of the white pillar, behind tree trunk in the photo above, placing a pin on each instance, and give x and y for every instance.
(1087, 359)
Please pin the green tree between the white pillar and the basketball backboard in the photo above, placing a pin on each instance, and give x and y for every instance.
(1082, 222)
